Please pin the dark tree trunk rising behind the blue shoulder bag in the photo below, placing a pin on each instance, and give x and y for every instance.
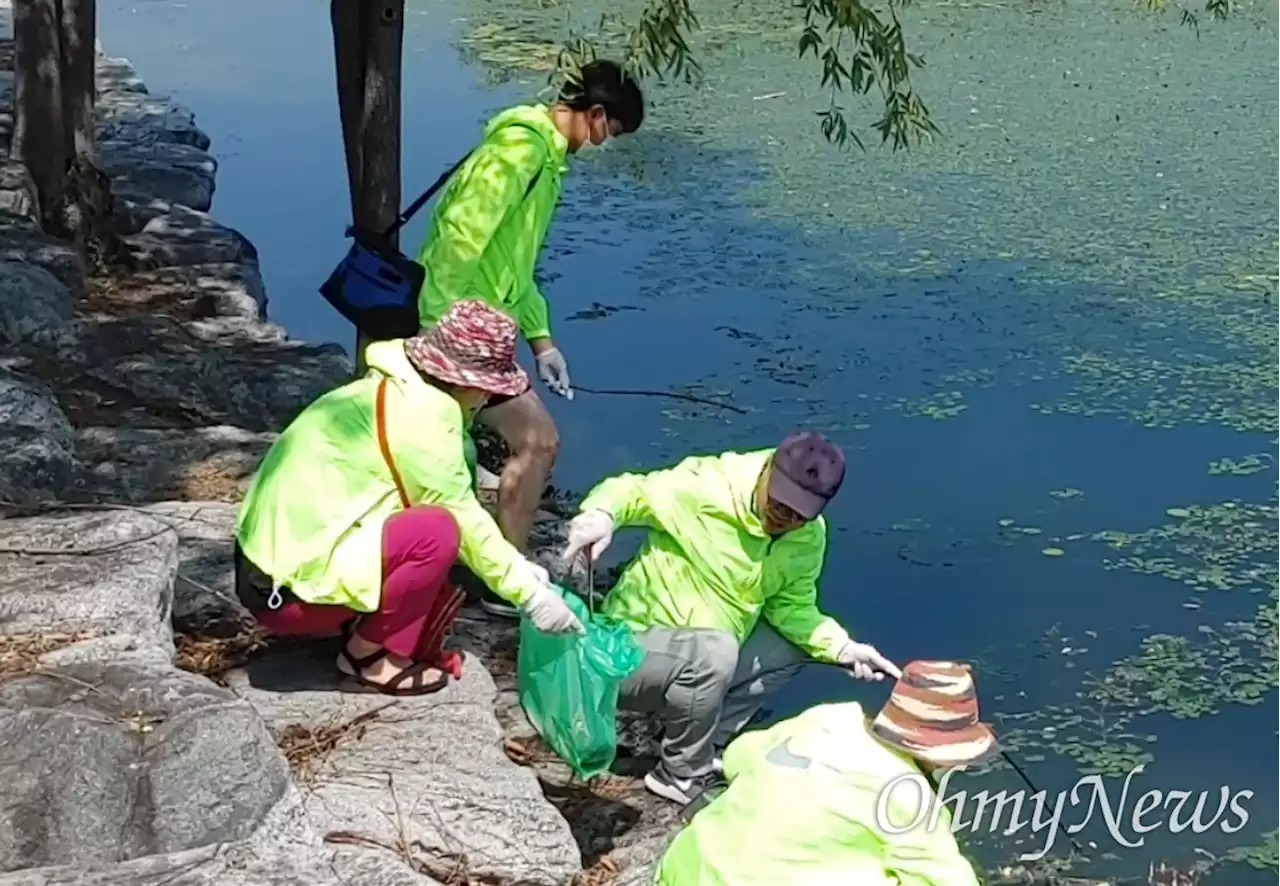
(368, 43)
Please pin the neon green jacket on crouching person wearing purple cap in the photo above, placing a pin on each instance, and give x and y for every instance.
(707, 561)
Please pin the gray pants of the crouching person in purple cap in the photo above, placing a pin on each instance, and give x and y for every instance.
(706, 688)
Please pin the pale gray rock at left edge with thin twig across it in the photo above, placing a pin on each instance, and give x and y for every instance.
(106, 574)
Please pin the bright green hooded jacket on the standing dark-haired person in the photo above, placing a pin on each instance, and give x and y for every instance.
(486, 235)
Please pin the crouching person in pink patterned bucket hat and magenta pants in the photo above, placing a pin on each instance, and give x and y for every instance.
(364, 504)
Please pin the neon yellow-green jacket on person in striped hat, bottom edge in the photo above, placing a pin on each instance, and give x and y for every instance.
(802, 810)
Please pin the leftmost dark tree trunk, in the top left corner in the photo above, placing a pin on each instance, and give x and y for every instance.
(40, 124)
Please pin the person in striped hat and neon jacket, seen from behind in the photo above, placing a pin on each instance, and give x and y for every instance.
(829, 800)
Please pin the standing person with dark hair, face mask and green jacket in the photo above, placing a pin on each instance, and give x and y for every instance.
(483, 243)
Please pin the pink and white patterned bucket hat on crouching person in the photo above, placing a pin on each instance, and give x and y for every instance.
(473, 346)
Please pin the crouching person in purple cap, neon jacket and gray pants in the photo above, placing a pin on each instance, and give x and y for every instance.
(724, 592)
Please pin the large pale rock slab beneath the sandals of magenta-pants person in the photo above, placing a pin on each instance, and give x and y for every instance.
(431, 770)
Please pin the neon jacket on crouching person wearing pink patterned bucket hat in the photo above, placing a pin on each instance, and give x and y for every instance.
(314, 514)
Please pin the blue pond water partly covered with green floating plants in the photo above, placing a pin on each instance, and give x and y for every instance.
(1046, 341)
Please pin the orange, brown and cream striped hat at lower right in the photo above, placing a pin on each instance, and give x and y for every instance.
(932, 715)
